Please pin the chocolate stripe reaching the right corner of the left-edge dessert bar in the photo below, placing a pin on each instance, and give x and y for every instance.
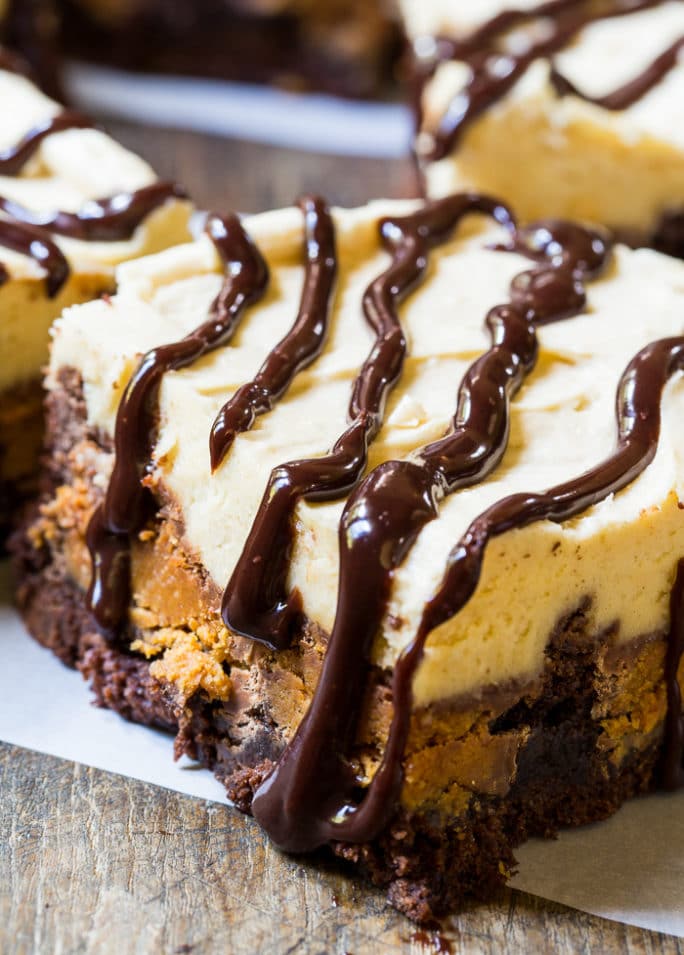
(100, 220)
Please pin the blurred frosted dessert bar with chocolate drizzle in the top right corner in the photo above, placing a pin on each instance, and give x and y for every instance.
(568, 107)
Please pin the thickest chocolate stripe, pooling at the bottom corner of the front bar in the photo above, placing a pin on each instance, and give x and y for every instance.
(307, 801)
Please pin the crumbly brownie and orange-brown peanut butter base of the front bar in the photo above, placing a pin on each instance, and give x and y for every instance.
(481, 775)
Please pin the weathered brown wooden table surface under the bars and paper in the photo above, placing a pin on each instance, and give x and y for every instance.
(91, 862)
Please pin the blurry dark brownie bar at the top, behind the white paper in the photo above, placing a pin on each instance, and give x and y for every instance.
(346, 48)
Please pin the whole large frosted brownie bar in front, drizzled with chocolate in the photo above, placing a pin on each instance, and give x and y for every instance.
(371, 532)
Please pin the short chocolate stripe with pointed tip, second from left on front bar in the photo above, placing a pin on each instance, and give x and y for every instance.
(302, 344)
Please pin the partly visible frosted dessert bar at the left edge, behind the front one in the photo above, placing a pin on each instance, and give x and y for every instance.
(73, 204)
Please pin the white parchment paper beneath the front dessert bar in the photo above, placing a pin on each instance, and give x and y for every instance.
(630, 868)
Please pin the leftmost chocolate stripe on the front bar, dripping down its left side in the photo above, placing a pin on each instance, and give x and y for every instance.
(125, 506)
